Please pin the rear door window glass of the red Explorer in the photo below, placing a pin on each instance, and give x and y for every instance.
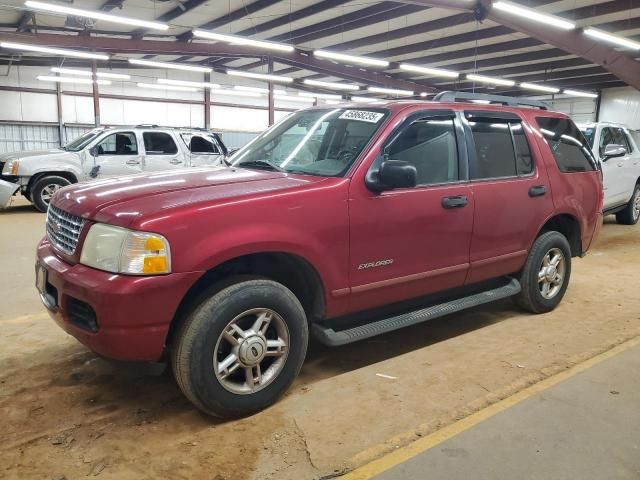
(502, 149)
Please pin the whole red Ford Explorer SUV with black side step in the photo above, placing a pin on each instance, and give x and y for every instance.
(343, 222)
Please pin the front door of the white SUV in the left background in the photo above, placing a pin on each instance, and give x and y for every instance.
(117, 154)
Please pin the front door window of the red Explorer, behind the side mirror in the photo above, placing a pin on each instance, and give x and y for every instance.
(430, 146)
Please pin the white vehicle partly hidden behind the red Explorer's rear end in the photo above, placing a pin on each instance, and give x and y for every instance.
(617, 149)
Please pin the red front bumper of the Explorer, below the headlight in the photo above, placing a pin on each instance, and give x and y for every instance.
(133, 313)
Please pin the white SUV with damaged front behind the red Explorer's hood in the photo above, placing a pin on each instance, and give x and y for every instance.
(102, 153)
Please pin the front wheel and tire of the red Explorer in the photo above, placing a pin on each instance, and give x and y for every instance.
(202, 348)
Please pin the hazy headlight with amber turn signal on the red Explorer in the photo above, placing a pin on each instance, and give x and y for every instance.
(120, 250)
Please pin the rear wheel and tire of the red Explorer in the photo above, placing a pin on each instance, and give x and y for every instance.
(532, 297)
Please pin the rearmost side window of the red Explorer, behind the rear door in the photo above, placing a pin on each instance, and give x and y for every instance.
(568, 145)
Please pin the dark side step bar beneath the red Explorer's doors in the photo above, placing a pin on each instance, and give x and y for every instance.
(332, 338)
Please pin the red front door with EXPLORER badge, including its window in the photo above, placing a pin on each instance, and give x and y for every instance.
(410, 242)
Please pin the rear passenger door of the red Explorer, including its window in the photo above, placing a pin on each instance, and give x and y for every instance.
(510, 188)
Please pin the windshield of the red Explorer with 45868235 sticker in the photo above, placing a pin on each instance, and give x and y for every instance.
(315, 142)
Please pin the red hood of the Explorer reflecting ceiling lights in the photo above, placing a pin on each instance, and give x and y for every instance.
(121, 200)
